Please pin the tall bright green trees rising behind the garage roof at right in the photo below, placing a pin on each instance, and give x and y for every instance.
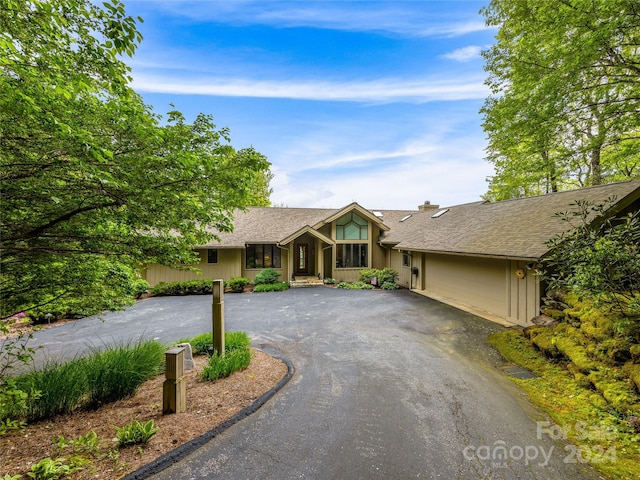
(565, 82)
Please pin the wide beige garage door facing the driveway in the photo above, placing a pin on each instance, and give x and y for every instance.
(477, 282)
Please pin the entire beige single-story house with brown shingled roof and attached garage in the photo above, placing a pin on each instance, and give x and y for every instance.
(478, 256)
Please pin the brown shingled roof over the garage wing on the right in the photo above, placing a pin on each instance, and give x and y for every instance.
(517, 228)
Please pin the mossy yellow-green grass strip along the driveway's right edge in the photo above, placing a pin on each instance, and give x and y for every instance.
(603, 435)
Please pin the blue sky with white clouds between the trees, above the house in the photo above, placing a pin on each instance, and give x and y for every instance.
(368, 101)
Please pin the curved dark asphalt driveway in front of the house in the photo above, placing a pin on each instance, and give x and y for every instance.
(387, 385)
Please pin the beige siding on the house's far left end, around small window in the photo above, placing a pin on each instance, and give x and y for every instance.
(228, 266)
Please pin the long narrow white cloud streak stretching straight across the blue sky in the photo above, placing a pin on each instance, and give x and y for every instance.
(377, 91)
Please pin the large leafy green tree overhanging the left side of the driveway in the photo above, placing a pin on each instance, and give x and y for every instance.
(93, 183)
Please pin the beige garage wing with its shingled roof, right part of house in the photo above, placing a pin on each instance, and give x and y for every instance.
(483, 256)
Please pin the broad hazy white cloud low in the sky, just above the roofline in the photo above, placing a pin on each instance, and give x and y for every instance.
(426, 168)
